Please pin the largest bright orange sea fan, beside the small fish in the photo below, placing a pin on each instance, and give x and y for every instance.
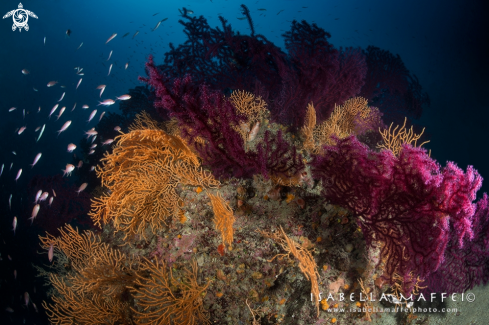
(141, 174)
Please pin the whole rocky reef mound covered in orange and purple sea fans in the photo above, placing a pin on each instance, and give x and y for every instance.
(278, 208)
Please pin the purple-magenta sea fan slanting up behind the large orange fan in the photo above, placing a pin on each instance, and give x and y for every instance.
(204, 113)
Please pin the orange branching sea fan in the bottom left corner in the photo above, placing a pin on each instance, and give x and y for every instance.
(97, 277)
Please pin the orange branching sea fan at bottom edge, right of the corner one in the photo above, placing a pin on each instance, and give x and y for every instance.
(166, 299)
